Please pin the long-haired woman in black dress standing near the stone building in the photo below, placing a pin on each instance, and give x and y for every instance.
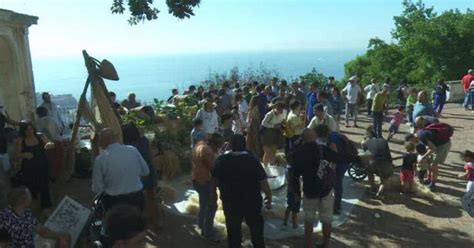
(34, 173)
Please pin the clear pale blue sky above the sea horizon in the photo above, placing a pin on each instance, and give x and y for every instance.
(65, 27)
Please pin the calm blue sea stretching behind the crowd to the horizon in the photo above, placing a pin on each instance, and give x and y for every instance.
(154, 77)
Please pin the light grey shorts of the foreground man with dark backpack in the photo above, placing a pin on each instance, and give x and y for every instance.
(324, 207)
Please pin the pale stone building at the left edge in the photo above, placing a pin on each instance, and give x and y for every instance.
(17, 90)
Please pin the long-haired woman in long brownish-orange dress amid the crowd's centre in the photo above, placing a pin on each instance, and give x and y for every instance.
(253, 120)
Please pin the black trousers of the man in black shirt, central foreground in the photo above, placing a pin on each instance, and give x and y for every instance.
(254, 221)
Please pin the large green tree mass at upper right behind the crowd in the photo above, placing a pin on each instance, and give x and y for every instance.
(429, 47)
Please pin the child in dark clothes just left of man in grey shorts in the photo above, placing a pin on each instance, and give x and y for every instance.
(293, 202)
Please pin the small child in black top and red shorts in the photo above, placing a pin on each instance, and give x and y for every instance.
(407, 173)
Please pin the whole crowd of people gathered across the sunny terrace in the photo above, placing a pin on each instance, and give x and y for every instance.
(236, 133)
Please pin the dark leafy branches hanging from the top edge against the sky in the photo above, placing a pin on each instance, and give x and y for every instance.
(144, 10)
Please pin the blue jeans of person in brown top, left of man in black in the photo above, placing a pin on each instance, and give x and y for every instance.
(207, 209)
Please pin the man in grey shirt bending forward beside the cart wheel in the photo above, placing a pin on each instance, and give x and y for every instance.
(380, 163)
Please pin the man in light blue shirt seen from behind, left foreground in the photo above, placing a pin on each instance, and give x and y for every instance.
(118, 171)
